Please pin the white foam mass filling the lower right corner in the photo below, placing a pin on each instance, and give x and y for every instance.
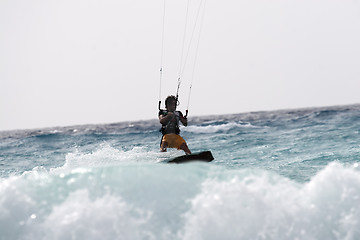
(261, 207)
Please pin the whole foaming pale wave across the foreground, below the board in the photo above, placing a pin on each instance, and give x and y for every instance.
(196, 201)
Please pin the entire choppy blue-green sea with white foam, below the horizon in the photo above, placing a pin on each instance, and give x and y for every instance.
(291, 174)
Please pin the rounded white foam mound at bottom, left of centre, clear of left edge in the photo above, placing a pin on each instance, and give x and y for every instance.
(107, 217)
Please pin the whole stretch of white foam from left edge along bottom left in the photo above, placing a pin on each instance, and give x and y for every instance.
(77, 217)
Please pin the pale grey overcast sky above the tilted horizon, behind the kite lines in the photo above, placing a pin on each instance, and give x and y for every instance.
(90, 61)
